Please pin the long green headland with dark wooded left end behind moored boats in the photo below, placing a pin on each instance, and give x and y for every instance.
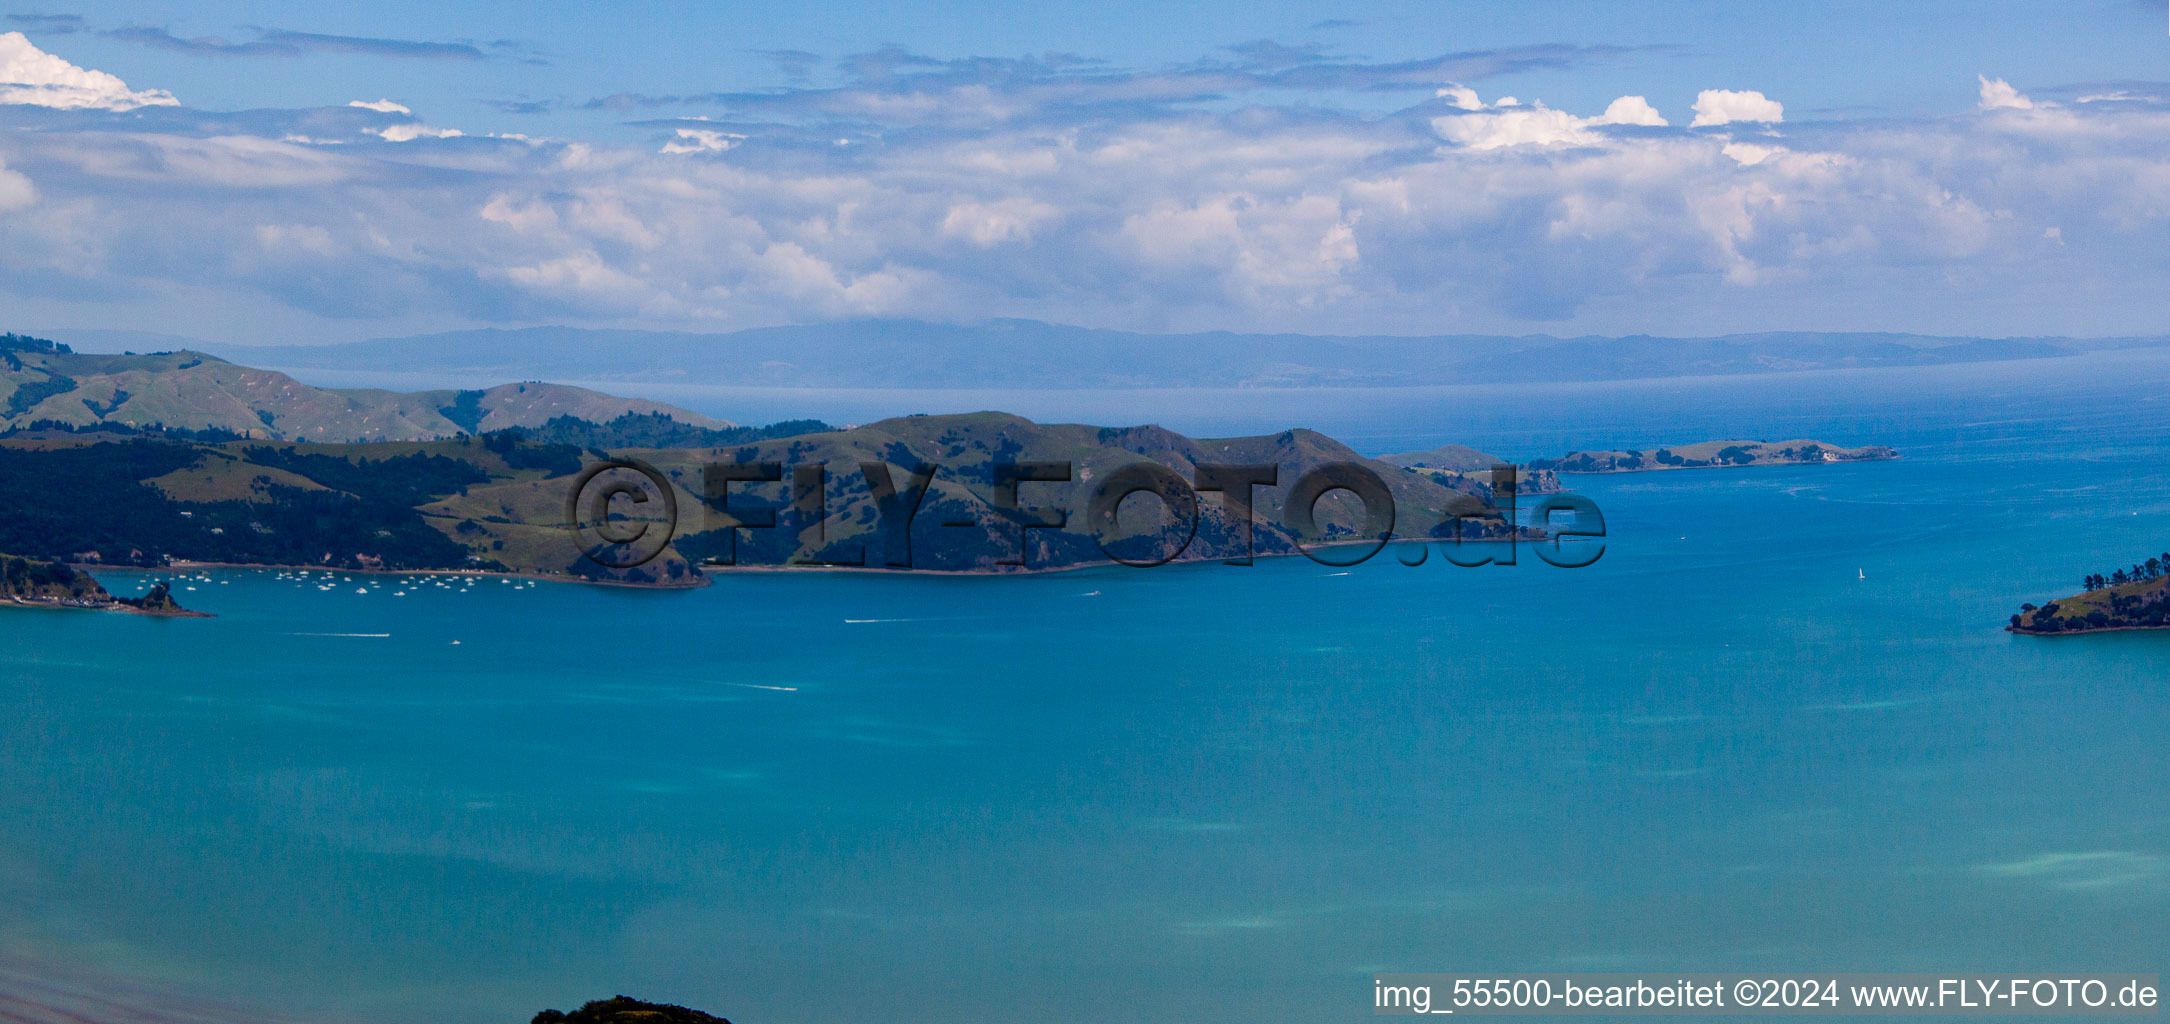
(500, 502)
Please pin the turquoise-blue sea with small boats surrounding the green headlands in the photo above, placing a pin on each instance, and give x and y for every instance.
(1774, 728)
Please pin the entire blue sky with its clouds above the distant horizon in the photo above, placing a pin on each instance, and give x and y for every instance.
(329, 172)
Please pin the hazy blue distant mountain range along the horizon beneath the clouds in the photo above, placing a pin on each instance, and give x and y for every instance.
(1032, 355)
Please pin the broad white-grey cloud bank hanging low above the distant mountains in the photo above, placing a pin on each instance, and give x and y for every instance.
(1071, 192)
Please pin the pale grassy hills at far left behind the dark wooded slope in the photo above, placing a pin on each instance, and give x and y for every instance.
(49, 385)
